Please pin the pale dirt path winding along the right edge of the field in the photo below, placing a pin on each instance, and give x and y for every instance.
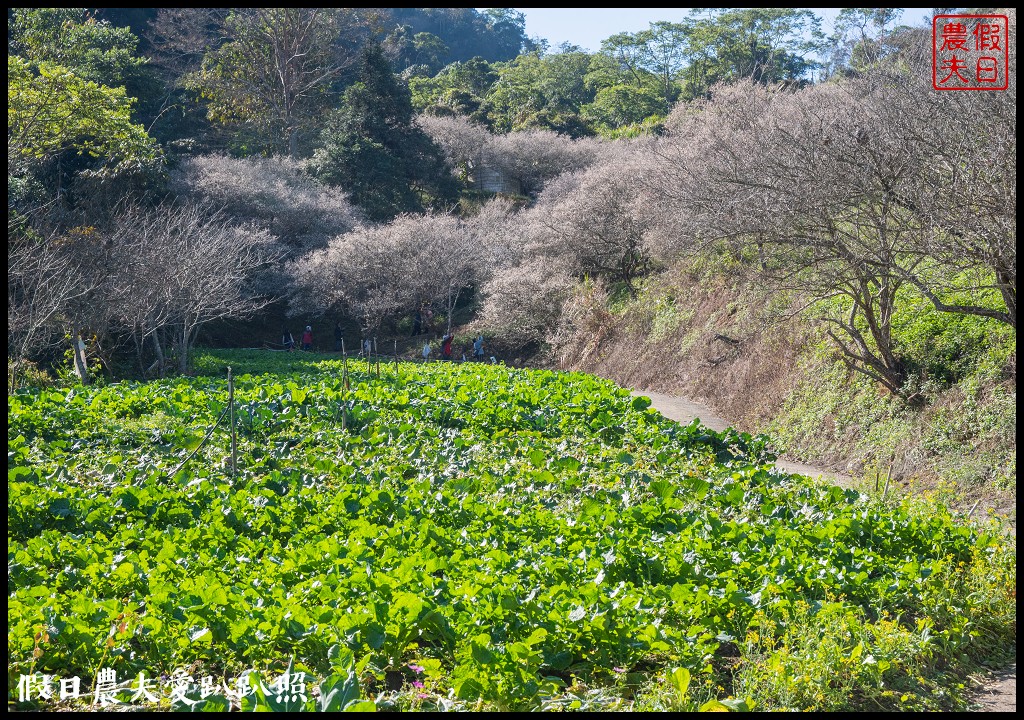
(999, 692)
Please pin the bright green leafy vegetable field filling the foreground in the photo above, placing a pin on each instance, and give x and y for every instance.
(463, 537)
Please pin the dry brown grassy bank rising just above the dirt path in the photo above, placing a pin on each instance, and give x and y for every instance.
(729, 357)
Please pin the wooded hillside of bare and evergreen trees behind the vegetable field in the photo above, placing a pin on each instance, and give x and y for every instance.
(184, 176)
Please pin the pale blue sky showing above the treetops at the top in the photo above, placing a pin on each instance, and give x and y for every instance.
(587, 27)
